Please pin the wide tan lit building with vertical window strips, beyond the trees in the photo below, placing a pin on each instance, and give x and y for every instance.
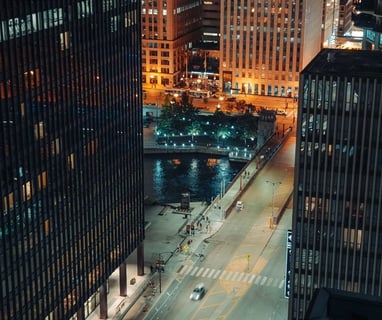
(265, 44)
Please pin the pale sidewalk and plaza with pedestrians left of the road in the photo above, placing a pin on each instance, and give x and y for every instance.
(165, 232)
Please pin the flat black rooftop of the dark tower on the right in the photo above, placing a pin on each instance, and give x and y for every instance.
(361, 63)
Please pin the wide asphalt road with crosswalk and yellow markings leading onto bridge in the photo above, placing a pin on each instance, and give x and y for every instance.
(244, 264)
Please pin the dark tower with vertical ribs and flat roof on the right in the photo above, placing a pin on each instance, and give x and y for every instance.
(337, 224)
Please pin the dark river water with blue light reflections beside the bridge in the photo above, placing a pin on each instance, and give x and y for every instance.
(167, 176)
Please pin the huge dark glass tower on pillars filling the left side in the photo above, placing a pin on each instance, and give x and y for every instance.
(70, 154)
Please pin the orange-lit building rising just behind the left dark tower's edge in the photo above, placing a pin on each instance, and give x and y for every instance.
(169, 30)
